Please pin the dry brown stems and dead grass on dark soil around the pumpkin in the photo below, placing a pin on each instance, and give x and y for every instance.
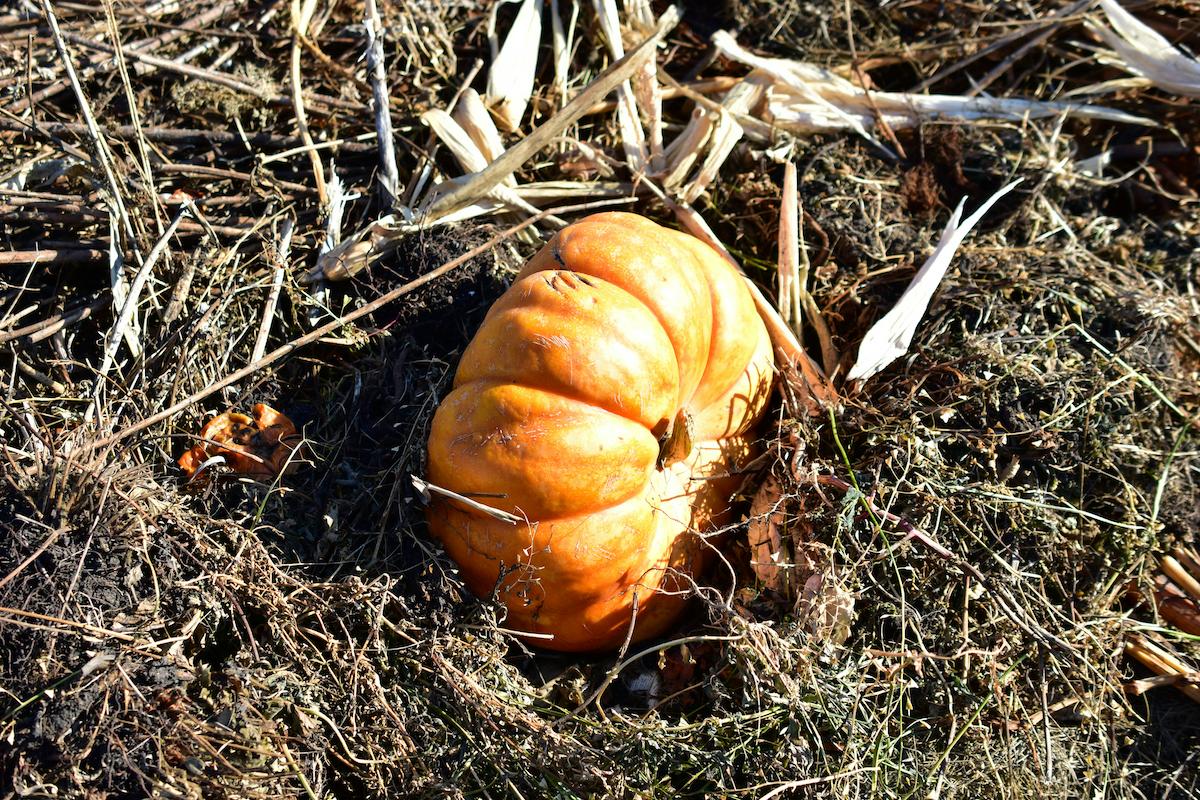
(987, 516)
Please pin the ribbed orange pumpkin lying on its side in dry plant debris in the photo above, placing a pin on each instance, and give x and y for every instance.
(608, 401)
